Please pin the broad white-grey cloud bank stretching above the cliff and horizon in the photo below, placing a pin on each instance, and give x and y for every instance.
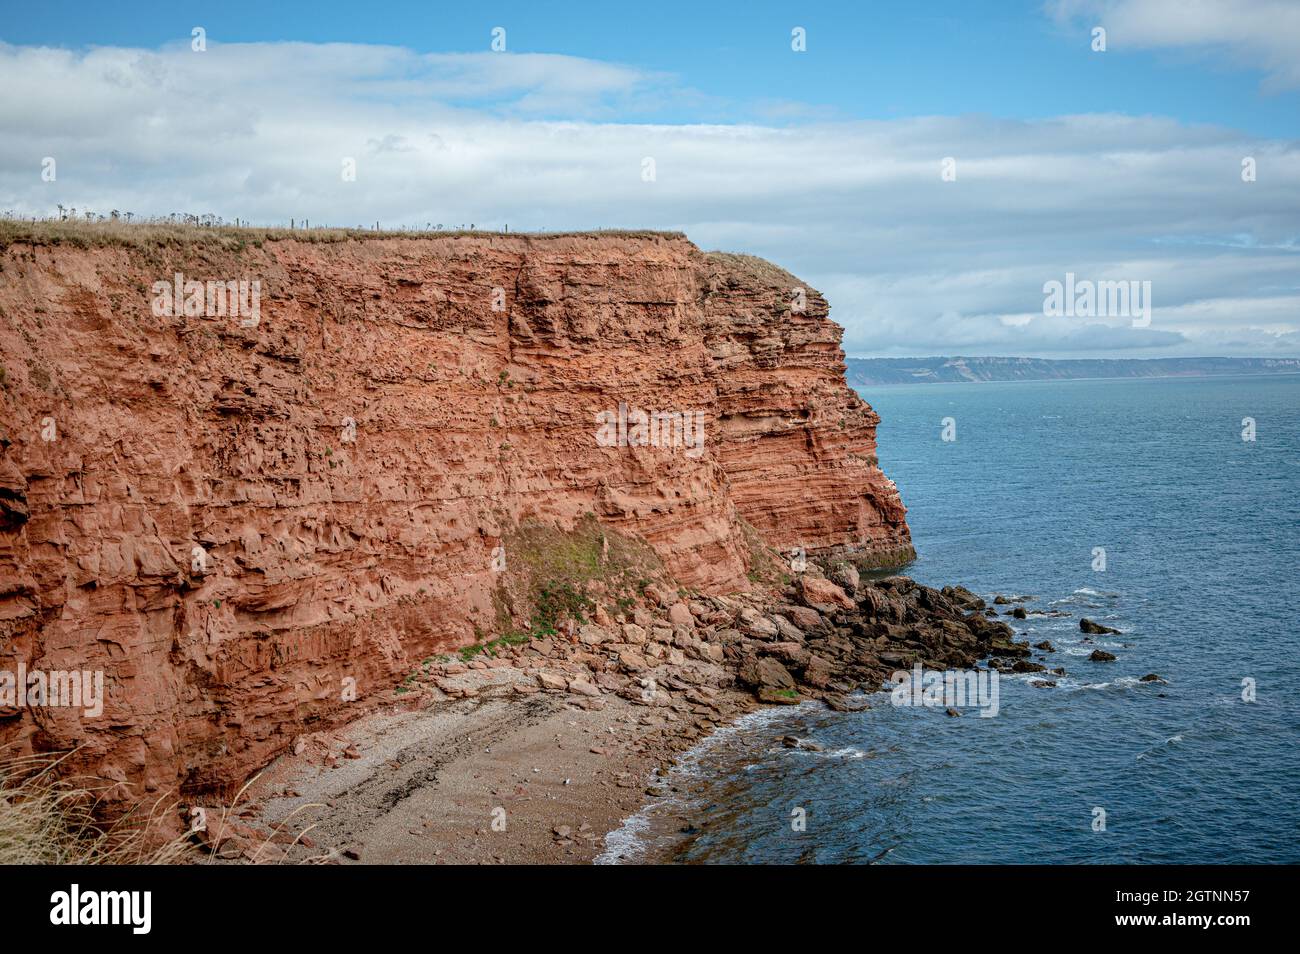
(911, 263)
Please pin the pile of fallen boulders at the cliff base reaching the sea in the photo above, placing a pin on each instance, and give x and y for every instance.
(822, 638)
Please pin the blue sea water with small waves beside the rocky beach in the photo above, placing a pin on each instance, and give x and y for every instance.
(1202, 537)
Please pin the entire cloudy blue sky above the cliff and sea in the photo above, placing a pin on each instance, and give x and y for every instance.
(930, 168)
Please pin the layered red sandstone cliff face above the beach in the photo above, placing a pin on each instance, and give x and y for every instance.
(232, 519)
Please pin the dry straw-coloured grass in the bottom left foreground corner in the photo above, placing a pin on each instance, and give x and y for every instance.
(46, 819)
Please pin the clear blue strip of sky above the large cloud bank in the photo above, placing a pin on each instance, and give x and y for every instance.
(866, 60)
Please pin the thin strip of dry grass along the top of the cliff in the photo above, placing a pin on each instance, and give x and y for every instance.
(153, 235)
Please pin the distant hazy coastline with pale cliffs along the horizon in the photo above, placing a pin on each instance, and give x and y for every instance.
(864, 372)
